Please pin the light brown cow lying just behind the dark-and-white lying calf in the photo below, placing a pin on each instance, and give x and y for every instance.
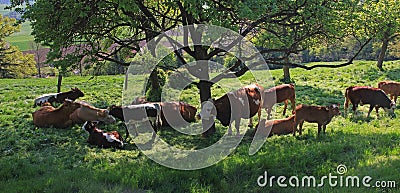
(87, 112)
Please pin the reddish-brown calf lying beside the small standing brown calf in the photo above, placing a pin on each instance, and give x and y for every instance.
(279, 126)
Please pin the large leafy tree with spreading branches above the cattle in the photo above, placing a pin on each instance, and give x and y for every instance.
(283, 27)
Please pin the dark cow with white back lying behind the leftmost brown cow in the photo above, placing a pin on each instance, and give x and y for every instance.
(73, 94)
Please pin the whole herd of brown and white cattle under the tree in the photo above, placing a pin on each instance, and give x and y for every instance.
(231, 107)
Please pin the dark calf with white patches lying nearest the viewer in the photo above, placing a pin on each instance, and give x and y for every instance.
(102, 139)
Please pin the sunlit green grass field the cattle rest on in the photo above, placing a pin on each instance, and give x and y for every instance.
(60, 160)
